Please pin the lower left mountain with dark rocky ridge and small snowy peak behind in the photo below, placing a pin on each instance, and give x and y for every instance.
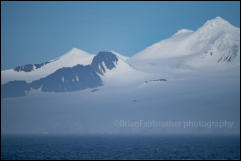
(76, 70)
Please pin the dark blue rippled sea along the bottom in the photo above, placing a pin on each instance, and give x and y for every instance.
(119, 147)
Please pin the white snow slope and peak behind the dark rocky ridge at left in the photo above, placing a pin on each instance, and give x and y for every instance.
(73, 57)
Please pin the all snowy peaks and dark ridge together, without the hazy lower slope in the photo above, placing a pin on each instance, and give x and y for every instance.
(216, 44)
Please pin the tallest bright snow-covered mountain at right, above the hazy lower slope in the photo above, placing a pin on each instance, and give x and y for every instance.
(216, 44)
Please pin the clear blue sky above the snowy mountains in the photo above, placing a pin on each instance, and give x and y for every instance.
(35, 32)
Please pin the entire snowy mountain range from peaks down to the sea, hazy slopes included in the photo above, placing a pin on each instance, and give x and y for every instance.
(81, 93)
